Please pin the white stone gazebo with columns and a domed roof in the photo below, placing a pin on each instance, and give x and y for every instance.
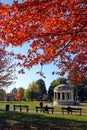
(63, 95)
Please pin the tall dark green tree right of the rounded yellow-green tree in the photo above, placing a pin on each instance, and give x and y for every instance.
(42, 88)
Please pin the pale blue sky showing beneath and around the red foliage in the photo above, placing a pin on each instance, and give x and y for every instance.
(23, 80)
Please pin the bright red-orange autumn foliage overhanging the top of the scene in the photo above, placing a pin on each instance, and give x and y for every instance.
(56, 31)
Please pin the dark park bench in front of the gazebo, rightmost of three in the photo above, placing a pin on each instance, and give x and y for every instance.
(71, 109)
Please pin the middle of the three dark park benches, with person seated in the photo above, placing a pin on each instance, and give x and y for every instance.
(43, 109)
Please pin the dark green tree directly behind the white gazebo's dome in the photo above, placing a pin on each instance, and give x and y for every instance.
(56, 82)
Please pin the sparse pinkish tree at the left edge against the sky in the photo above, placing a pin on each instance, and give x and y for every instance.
(7, 75)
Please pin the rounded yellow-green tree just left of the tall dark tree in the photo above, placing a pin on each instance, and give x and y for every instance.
(32, 92)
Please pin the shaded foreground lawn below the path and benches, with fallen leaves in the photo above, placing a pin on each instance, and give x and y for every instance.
(27, 121)
